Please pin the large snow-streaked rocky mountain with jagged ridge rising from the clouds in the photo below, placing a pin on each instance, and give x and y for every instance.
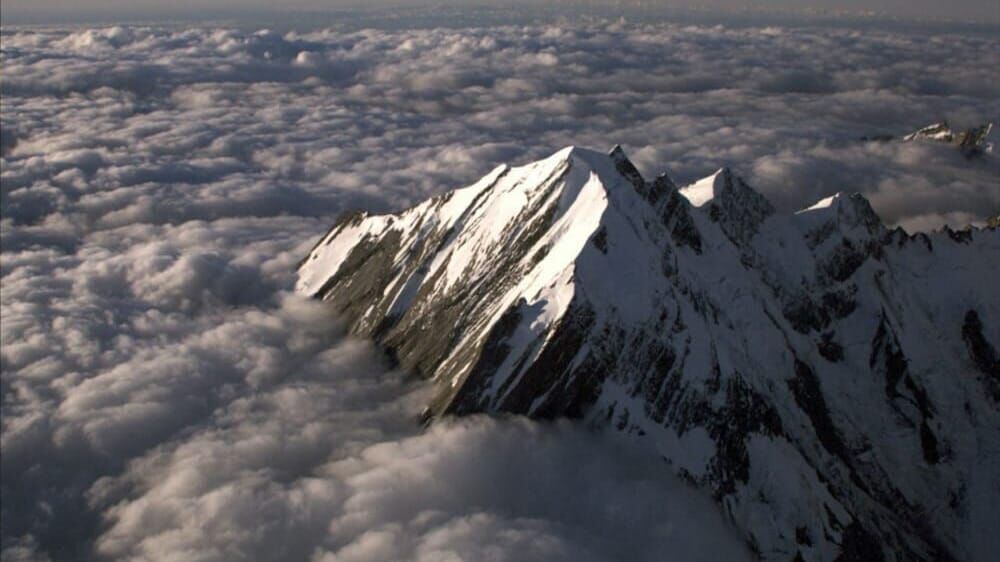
(833, 383)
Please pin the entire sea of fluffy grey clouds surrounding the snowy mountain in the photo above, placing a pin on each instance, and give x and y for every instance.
(164, 396)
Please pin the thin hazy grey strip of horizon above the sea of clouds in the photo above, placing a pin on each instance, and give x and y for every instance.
(979, 12)
